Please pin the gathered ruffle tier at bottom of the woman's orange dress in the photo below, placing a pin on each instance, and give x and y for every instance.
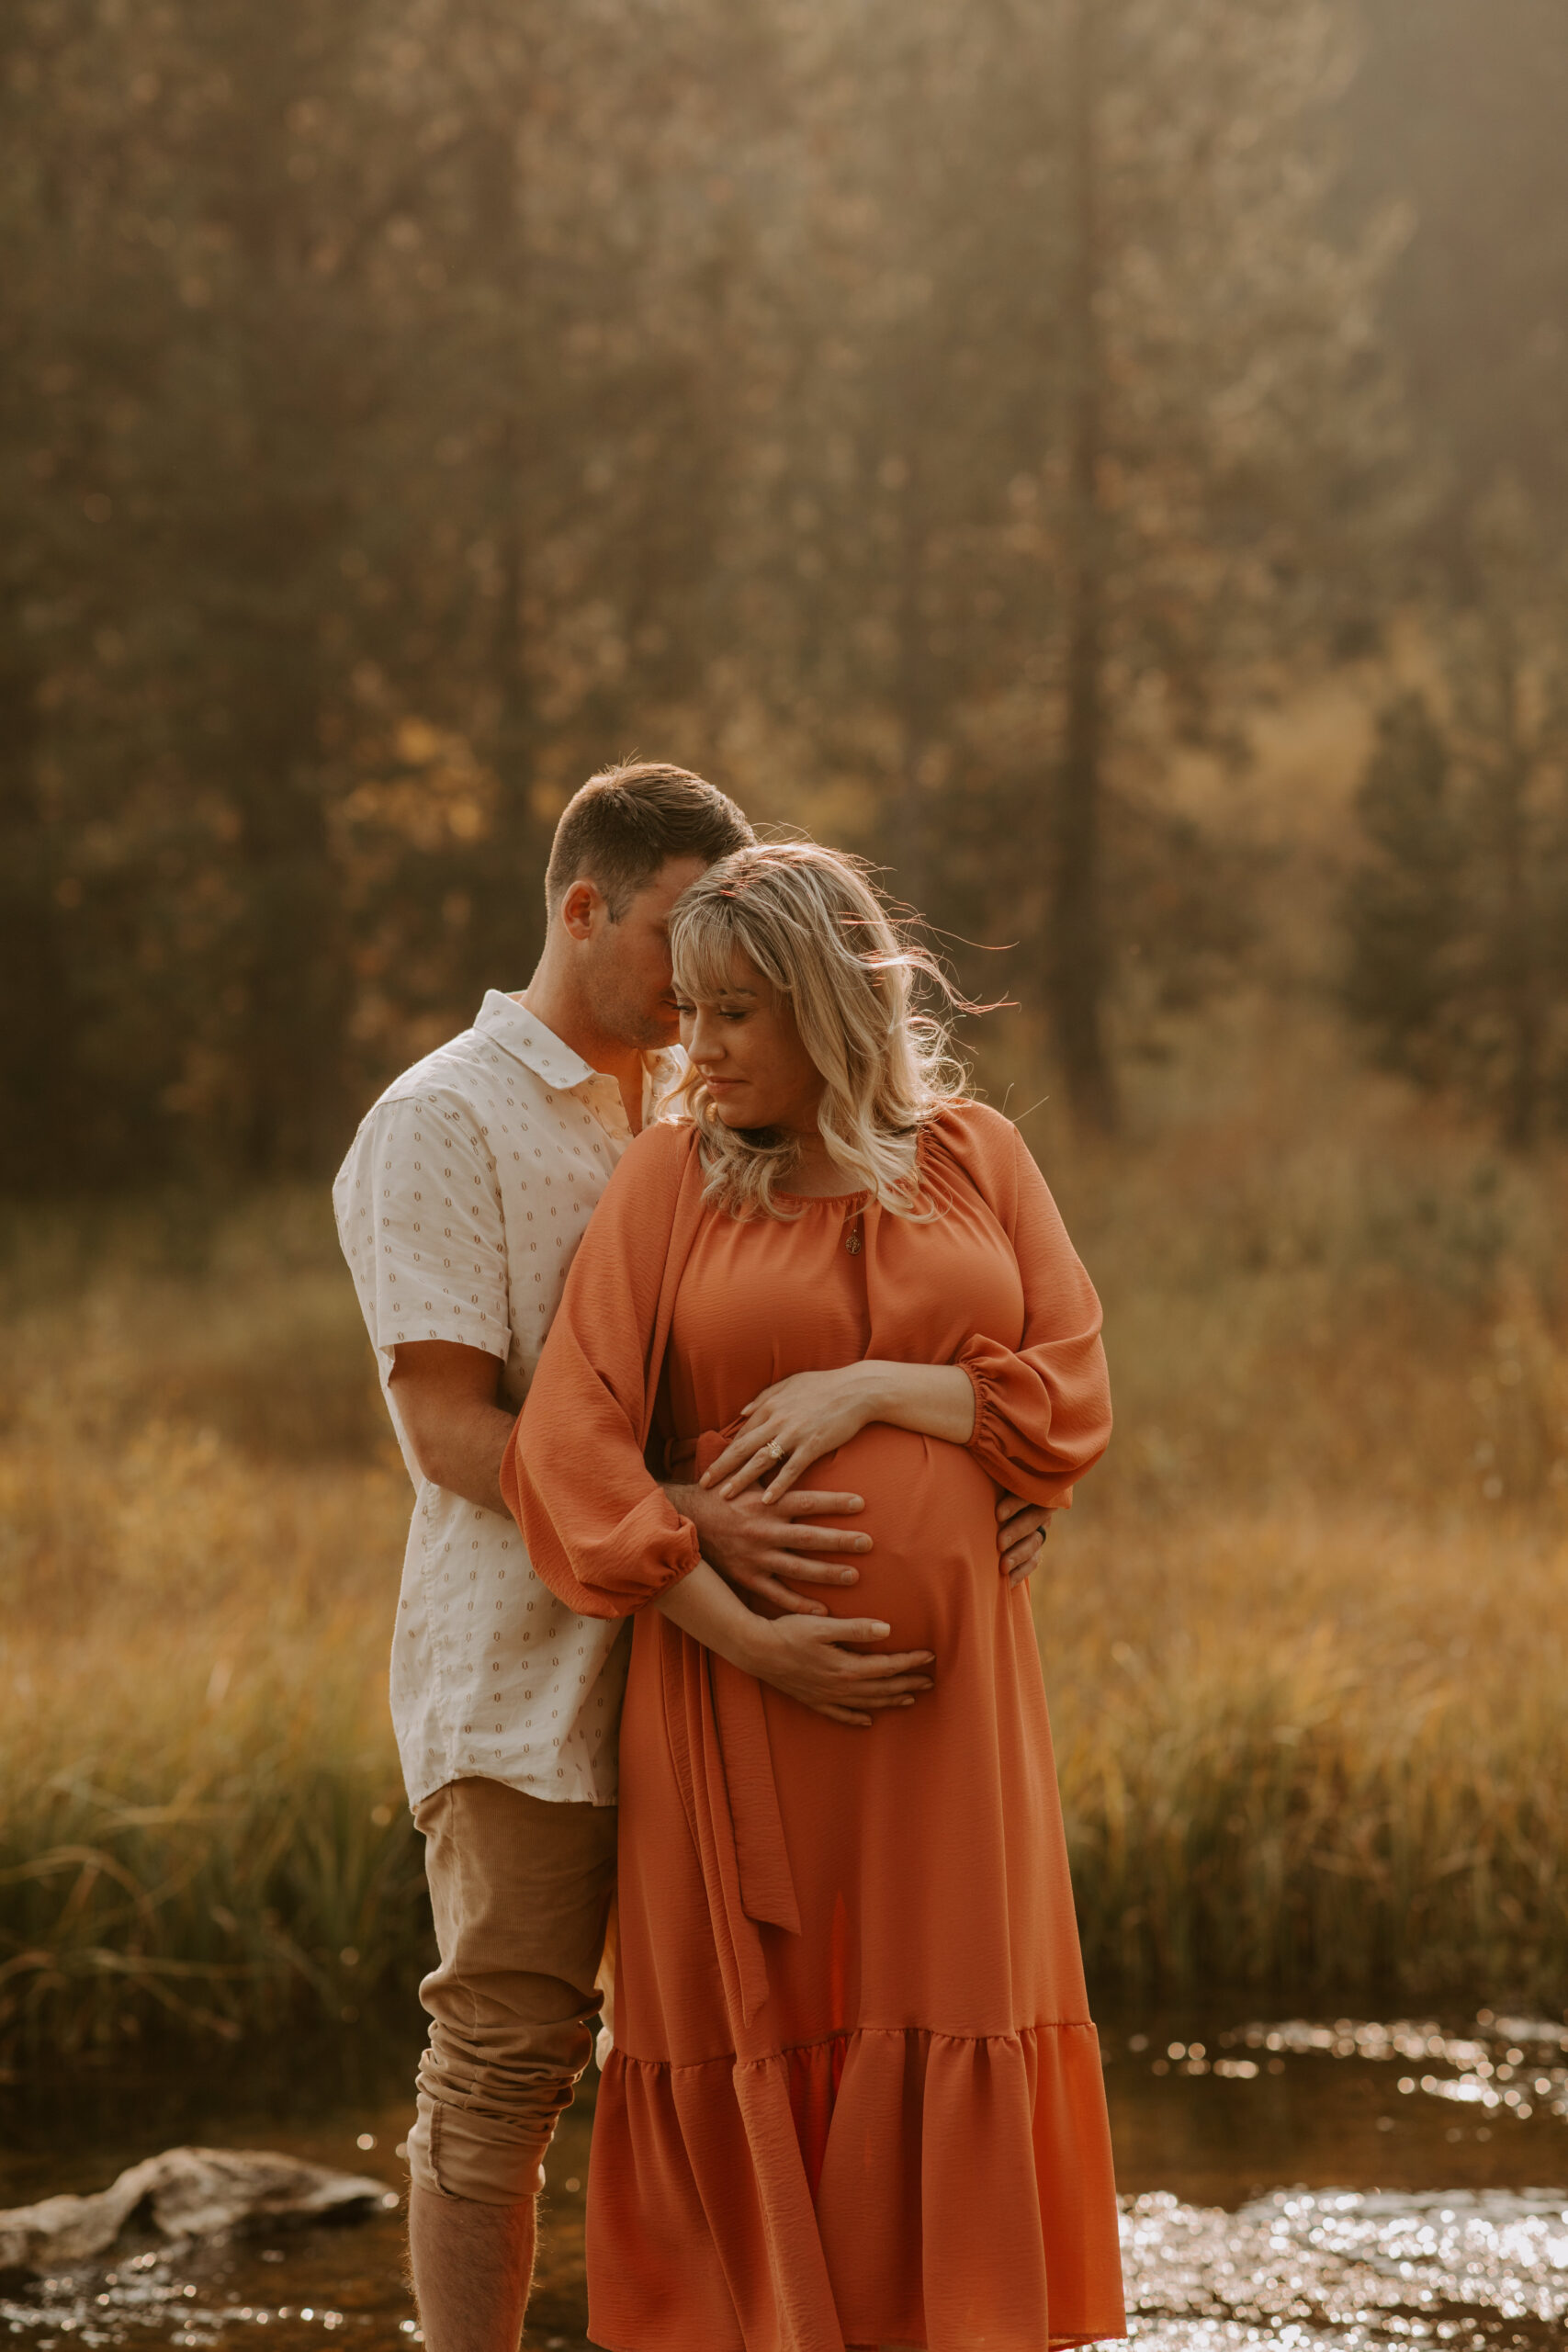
(885, 2186)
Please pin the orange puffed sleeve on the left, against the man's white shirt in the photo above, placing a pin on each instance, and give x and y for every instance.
(601, 1532)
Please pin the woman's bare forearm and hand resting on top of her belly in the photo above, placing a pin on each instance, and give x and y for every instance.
(800, 1419)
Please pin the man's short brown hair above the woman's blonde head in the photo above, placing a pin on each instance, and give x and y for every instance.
(626, 822)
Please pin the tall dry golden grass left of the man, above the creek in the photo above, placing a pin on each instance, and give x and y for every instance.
(201, 1817)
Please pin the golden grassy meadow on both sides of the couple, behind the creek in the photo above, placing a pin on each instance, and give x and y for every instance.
(1304, 1633)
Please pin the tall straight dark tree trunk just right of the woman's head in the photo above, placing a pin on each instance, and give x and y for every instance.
(1078, 951)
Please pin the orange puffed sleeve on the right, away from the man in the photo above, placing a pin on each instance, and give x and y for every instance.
(1043, 1410)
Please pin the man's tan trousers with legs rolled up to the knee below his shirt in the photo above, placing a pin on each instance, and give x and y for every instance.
(521, 1895)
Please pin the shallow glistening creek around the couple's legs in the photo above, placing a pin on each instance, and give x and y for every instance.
(1313, 2184)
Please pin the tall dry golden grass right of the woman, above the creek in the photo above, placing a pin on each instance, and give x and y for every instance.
(1308, 1643)
